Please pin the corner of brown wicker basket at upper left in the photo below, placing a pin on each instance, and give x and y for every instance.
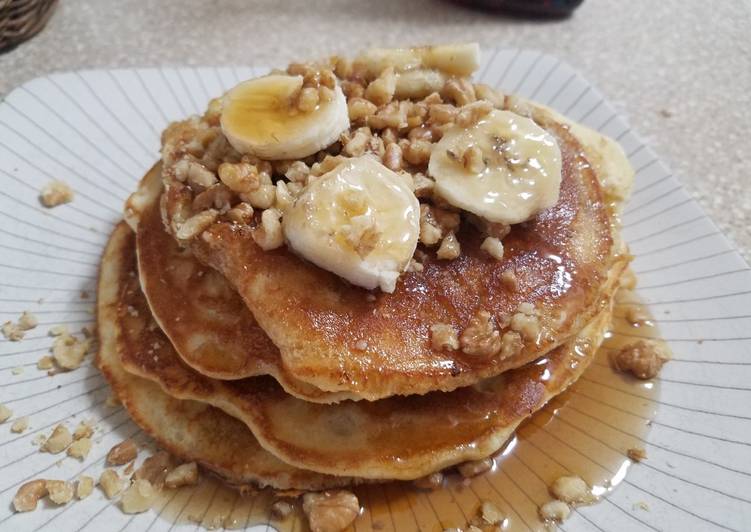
(22, 19)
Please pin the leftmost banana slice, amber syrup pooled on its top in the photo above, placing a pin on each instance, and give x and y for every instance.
(259, 117)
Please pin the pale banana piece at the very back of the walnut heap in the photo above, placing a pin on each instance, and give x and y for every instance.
(452, 59)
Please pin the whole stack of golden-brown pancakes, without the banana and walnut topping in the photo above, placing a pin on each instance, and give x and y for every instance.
(268, 370)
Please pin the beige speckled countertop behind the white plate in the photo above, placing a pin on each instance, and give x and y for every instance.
(680, 71)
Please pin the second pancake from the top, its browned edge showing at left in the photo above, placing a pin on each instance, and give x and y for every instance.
(206, 321)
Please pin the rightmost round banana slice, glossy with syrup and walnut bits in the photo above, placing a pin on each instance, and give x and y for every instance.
(505, 168)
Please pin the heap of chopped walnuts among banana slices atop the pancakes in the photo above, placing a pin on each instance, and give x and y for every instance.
(394, 116)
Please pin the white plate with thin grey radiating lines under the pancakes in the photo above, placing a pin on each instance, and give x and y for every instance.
(99, 132)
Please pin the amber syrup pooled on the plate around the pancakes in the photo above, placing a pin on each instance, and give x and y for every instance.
(586, 431)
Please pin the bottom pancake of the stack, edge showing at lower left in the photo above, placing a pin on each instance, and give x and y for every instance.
(193, 431)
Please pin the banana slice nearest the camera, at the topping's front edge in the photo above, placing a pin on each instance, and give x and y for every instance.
(360, 221)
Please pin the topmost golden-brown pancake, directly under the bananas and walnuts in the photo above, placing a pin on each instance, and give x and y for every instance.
(319, 322)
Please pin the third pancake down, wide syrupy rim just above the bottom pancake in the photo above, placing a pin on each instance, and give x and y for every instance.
(394, 438)
